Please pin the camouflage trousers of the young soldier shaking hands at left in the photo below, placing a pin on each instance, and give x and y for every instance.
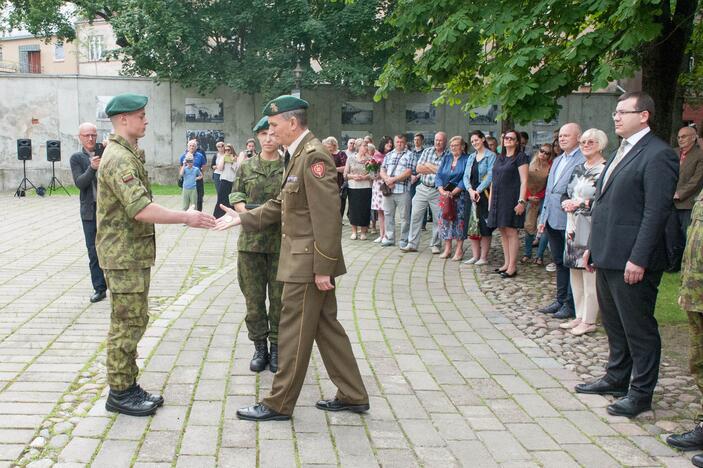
(129, 290)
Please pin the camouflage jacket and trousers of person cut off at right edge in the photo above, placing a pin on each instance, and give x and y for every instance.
(691, 297)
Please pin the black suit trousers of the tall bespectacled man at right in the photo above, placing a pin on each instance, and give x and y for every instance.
(627, 311)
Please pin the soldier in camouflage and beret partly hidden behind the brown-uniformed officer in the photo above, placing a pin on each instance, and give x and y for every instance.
(259, 180)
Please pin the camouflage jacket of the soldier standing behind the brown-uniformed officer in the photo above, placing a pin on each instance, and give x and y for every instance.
(257, 182)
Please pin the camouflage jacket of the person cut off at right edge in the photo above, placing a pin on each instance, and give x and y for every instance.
(691, 296)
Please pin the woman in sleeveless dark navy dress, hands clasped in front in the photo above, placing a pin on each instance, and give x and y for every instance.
(507, 200)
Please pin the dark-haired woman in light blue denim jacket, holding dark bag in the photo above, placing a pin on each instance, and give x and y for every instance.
(477, 179)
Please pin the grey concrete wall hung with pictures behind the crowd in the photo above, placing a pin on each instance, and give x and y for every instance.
(44, 108)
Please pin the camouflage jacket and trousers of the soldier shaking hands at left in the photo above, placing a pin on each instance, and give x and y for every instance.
(126, 252)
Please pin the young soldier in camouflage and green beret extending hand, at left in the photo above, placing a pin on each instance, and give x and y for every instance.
(126, 247)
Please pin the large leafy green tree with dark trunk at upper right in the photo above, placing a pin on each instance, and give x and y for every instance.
(526, 54)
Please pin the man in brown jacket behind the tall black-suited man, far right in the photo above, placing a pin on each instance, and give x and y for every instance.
(689, 185)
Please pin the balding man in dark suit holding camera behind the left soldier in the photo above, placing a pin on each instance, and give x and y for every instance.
(84, 167)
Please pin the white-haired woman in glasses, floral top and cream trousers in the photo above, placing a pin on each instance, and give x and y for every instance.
(577, 202)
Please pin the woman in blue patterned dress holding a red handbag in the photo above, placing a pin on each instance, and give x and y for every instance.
(452, 193)
